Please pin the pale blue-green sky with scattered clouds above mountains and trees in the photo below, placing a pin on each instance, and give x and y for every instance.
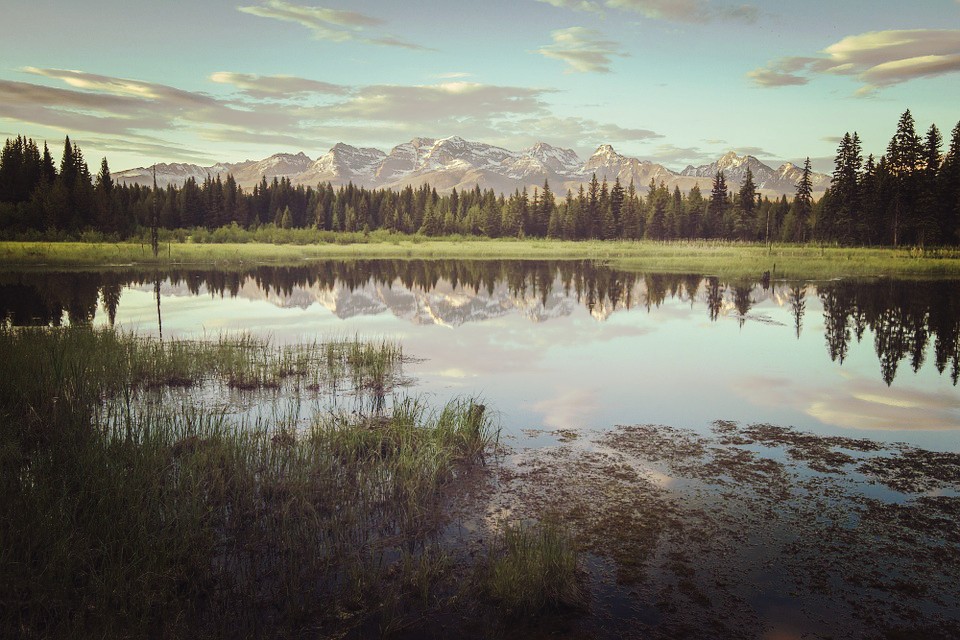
(673, 81)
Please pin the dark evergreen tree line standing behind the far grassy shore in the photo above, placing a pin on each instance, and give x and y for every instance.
(910, 195)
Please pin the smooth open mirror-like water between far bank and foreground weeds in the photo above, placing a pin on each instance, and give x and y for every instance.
(575, 344)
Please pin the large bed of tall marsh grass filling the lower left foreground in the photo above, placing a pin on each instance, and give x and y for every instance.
(124, 514)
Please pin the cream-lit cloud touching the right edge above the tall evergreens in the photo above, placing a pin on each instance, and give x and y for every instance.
(877, 59)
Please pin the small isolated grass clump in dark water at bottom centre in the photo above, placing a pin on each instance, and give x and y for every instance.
(533, 568)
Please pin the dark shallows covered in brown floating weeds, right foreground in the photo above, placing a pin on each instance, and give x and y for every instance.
(746, 532)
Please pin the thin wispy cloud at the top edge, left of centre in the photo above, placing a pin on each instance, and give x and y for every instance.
(332, 25)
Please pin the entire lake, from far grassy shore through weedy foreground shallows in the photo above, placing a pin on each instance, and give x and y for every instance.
(736, 458)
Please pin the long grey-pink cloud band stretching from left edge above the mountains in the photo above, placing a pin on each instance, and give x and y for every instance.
(138, 117)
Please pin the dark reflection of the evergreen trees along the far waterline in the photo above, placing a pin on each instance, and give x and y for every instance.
(904, 316)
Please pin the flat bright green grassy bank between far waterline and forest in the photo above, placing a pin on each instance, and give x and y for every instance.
(714, 258)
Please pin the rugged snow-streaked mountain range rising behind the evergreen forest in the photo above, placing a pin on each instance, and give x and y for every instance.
(453, 162)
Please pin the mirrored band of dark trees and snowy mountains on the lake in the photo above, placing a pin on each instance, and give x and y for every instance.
(904, 317)
